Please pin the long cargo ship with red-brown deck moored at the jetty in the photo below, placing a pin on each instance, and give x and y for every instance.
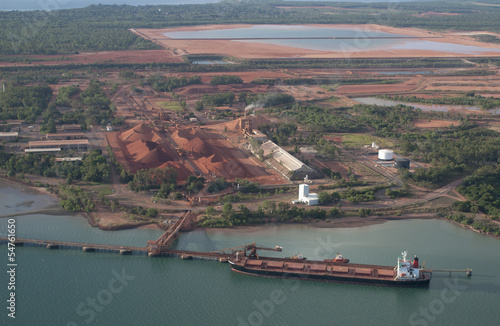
(405, 273)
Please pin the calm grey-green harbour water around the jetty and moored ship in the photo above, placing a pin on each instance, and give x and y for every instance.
(57, 287)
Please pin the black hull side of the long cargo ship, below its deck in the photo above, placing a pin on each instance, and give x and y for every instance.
(330, 278)
